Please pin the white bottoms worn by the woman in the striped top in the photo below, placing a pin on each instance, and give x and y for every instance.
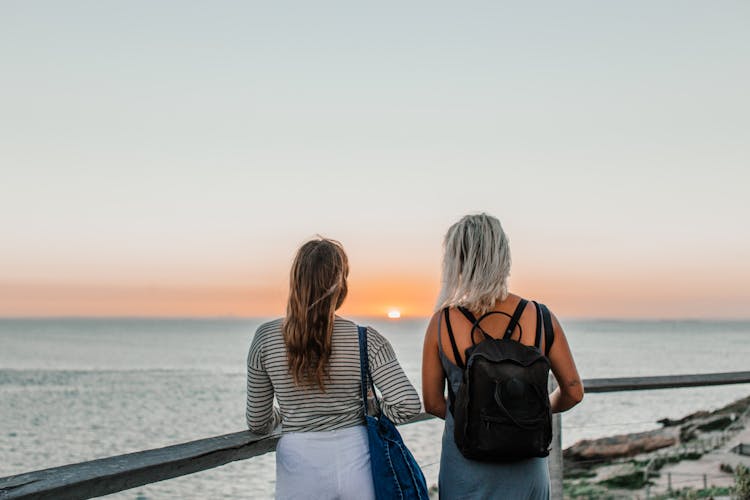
(324, 465)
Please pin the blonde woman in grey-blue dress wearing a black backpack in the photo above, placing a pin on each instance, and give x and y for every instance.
(475, 313)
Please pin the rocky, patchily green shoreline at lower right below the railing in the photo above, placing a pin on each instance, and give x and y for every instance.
(625, 465)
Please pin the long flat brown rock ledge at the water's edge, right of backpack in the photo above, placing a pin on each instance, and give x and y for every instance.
(623, 445)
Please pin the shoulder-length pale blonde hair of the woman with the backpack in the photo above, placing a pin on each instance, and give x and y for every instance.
(476, 264)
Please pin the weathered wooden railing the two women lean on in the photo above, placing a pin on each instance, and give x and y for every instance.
(122, 472)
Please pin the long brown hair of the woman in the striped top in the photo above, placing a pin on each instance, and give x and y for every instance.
(317, 287)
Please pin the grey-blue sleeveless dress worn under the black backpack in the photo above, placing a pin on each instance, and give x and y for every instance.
(461, 478)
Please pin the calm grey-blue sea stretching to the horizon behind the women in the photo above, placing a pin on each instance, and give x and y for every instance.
(77, 389)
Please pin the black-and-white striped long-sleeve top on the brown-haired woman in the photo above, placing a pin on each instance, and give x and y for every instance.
(307, 408)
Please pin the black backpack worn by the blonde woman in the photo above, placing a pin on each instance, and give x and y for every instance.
(502, 410)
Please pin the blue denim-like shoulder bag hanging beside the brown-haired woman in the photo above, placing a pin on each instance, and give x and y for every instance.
(395, 472)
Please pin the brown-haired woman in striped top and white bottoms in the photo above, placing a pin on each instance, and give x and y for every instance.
(309, 361)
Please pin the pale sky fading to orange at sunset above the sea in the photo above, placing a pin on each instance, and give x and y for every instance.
(168, 158)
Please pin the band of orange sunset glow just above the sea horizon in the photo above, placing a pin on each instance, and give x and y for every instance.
(376, 296)
